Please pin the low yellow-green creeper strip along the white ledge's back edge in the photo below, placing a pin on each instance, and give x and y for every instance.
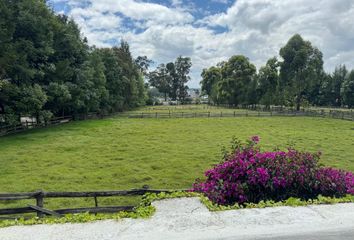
(145, 209)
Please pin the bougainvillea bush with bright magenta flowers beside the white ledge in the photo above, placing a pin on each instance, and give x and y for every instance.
(248, 174)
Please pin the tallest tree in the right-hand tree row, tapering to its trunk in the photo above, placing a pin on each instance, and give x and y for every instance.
(301, 68)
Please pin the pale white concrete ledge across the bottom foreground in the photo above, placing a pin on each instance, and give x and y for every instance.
(187, 218)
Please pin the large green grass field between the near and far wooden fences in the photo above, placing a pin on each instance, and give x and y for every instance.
(123, 153)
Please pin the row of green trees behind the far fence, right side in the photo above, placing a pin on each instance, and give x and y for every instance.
(298, 79)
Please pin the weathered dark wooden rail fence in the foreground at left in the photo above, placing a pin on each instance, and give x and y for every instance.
(41, 211)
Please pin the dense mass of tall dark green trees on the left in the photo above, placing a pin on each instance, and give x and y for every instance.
(47, 67)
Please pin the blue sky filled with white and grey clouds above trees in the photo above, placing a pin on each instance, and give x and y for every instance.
(210, 31)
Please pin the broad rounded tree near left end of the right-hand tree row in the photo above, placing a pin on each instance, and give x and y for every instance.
(237, 75)
